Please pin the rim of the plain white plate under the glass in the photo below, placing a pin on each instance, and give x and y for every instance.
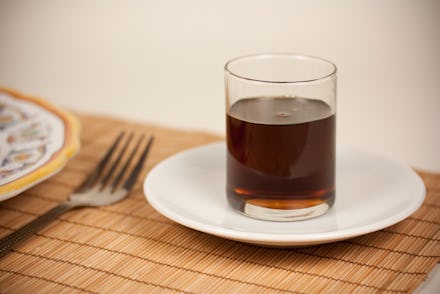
(284, 239)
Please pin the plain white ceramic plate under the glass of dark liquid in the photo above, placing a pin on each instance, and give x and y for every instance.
(372, 192)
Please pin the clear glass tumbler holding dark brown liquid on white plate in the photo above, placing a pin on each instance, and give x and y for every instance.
(280, 129)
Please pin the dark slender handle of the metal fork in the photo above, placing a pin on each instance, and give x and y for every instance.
(26, 231)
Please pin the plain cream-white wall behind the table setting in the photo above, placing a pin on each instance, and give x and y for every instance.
(162, 61)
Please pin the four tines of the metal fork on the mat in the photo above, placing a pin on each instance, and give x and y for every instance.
(107, 176)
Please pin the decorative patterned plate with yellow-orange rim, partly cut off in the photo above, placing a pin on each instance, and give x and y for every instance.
(36, 141)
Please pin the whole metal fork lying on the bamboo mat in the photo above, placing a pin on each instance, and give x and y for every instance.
(94, 191)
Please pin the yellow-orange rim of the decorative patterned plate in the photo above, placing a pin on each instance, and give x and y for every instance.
(58, 160)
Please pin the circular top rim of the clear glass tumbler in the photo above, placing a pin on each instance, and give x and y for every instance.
(279, 54)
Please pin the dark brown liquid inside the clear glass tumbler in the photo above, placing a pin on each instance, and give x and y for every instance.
(281, 153)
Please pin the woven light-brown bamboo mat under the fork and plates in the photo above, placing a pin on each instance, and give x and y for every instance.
(128, 247)
